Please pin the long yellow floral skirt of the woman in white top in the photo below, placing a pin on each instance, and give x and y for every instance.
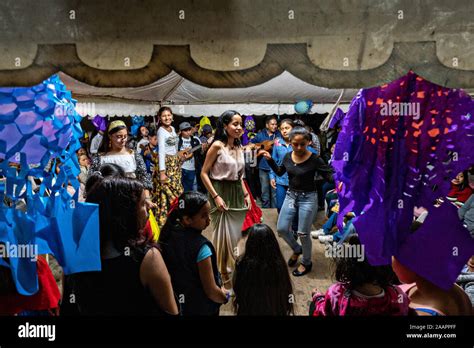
(164, 194)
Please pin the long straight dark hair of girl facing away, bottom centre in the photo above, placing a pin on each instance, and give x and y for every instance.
(262, 284)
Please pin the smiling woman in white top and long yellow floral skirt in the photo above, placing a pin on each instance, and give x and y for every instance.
(167, 180)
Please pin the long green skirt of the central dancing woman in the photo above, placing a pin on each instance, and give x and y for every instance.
(227, 225)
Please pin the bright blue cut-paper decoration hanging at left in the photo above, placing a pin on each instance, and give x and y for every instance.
(37, 126)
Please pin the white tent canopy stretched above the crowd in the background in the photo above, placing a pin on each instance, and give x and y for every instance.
(276, 96)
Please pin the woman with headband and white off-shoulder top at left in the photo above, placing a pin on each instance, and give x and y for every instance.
(113, 150)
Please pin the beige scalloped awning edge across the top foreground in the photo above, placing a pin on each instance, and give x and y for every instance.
(239, 43)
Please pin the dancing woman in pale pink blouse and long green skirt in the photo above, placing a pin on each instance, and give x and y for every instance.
(222, 174)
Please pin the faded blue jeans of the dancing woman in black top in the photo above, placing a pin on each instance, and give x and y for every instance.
(303, 205)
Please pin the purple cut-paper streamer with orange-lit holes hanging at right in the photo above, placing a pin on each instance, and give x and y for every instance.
(388, 161)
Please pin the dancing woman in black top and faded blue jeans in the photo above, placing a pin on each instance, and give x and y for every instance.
(301, 198)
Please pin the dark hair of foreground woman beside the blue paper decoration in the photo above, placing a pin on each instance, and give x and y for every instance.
(118, 199)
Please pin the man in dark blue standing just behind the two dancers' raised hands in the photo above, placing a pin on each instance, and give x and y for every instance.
(269, 133)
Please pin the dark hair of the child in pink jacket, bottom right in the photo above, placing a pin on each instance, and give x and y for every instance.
(353, 272)
